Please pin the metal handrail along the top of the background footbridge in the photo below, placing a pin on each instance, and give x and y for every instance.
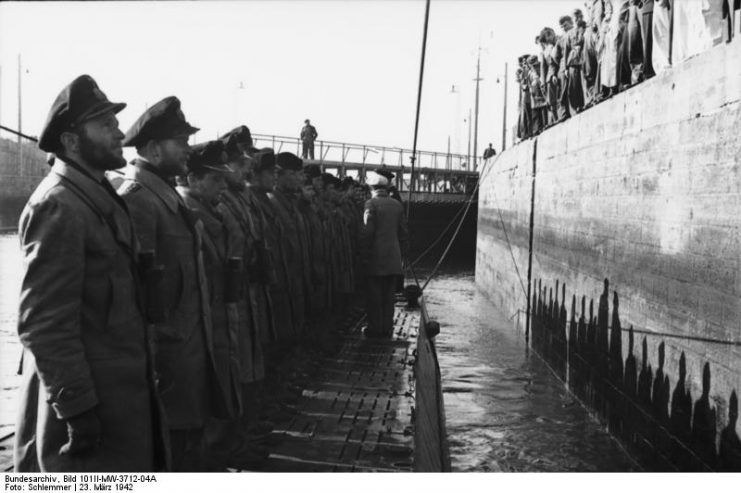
(371, 154)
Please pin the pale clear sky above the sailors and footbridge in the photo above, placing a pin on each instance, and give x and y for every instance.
(352, 67)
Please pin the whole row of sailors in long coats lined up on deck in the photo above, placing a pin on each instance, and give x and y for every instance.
(150, 314)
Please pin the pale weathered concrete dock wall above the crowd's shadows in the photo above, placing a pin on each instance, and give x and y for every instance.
(644, 190)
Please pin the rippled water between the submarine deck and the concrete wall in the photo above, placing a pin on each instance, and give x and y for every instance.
(505, 410)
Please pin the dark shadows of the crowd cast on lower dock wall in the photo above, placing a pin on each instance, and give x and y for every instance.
(660, 427)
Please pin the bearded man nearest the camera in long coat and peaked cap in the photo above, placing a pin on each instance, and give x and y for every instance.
(88, 401)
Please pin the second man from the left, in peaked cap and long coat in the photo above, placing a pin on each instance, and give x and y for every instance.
(172, 235)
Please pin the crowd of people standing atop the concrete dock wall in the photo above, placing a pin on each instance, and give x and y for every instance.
(609, 47)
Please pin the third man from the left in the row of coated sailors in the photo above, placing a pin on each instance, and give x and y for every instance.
(223, 254)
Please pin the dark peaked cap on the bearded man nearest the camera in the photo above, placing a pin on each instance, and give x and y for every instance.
(81, 101)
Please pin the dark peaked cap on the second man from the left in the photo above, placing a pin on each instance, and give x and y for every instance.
(162, 121)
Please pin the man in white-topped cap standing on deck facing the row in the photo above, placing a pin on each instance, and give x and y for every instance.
(384, 243)
